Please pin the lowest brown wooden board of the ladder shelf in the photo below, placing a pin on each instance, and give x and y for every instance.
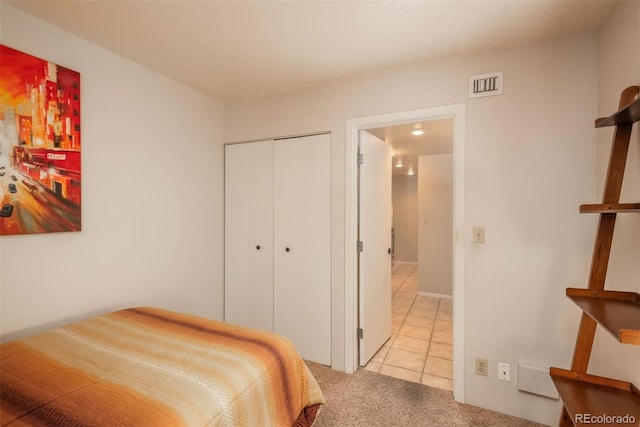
(584, 394)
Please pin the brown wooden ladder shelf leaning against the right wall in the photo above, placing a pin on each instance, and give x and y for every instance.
(585, 396)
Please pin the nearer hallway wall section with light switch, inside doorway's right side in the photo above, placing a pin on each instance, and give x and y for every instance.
(435, 202)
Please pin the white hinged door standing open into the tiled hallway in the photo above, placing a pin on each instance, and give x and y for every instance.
(374, 261)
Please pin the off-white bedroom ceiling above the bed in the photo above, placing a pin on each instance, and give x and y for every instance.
(235, 50)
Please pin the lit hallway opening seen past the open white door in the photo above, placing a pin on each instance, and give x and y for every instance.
(420, 349)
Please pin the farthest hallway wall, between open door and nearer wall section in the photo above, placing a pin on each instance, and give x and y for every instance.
(404, 191)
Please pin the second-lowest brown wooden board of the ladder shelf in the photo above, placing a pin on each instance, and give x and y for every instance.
(617, 312)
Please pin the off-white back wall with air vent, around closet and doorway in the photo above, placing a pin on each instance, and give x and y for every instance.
(530, 157)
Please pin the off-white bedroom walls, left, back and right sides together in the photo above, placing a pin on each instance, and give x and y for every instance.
(529, 162)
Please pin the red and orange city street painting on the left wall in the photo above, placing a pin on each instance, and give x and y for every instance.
(40, 189)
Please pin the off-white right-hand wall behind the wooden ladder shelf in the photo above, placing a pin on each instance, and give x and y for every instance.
(619, 51)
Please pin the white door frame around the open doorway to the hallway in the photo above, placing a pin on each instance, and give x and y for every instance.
(353, 126)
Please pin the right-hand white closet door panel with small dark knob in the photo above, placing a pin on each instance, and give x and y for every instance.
(302, 244)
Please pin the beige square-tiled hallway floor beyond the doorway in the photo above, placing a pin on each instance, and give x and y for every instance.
(420, 348)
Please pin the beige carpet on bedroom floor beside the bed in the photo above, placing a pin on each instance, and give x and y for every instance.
(370, 399)
